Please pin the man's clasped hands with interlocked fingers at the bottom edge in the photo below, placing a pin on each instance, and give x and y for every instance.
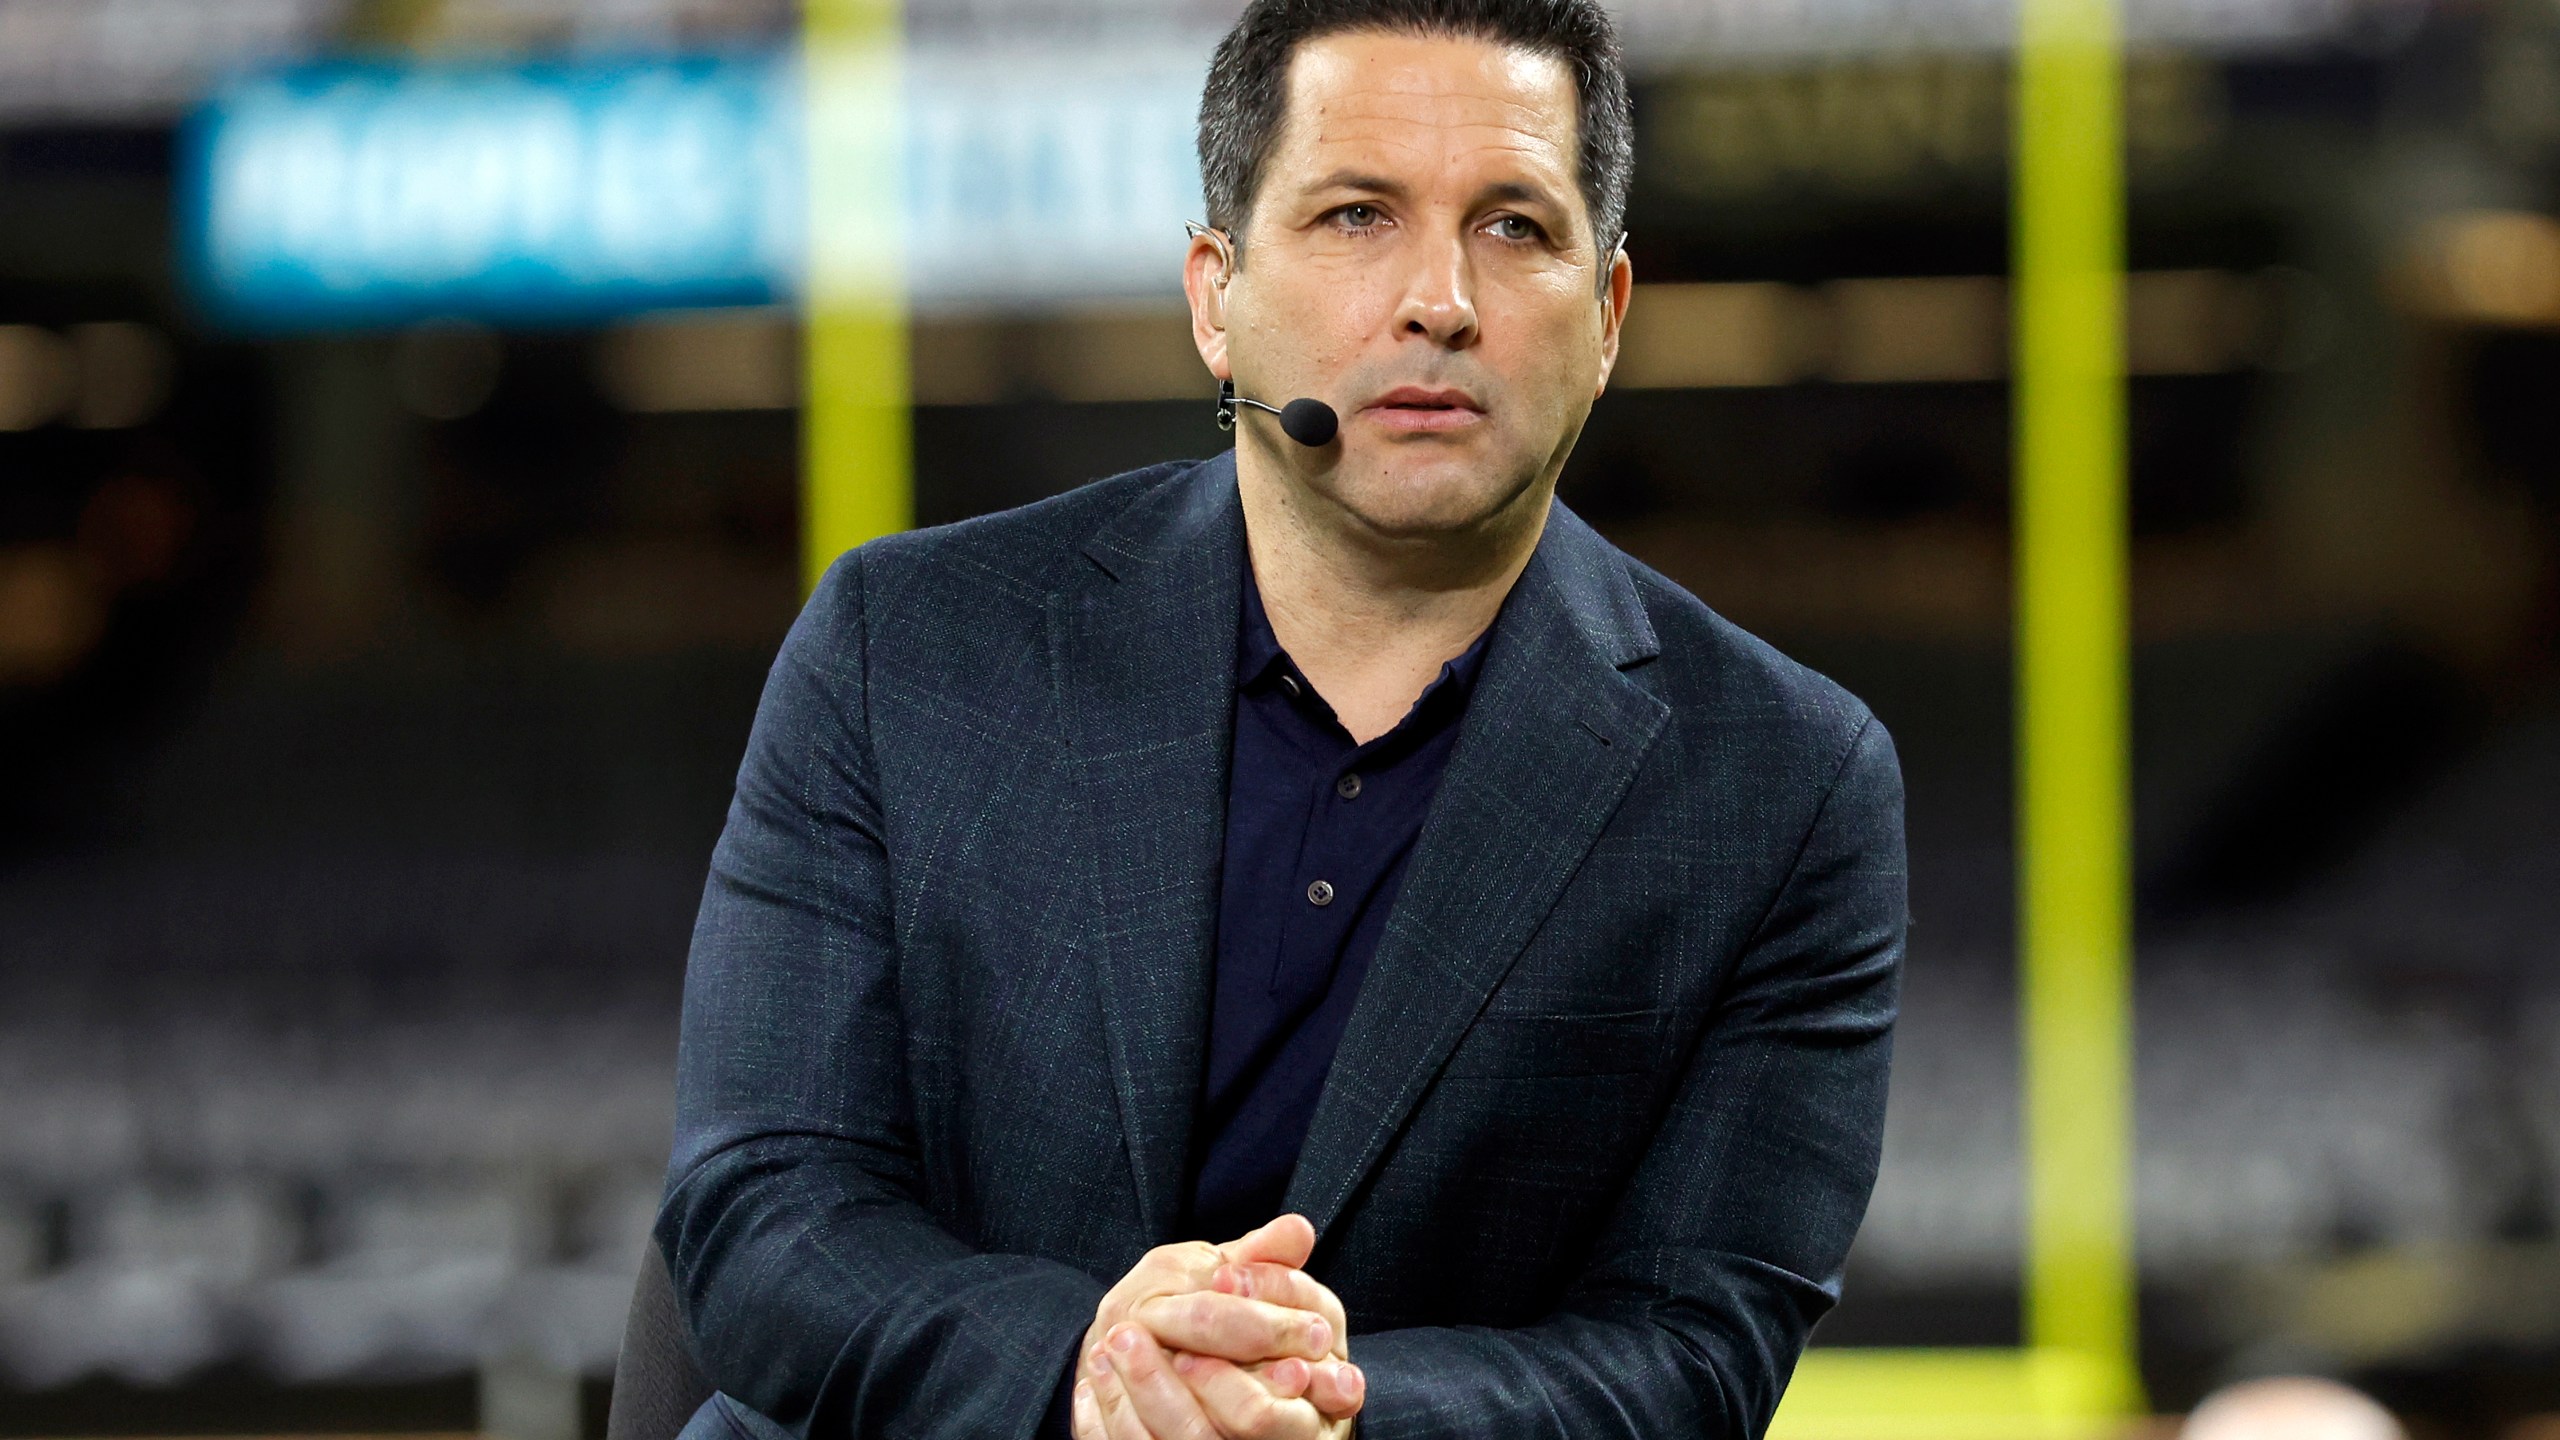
(1220, 1344)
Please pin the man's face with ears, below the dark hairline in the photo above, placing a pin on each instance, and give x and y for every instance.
(1420, 258)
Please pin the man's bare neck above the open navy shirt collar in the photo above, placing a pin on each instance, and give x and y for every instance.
(1373, 619)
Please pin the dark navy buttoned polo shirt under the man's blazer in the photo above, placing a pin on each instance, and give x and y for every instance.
(1317, 844)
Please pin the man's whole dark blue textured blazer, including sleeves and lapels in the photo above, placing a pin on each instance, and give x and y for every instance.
(1604, 1118)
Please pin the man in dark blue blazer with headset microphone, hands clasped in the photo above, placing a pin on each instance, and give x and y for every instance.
(1317, 937)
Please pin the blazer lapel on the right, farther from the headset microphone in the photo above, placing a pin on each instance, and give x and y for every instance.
(1550, 744)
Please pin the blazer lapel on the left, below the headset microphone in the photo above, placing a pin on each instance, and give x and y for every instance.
(1146, 657)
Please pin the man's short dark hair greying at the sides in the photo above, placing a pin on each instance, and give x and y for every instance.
(1248, 88)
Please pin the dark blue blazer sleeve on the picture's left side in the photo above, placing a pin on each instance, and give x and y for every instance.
(808, 1267)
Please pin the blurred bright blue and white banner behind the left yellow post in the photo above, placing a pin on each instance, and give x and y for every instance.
(562, 193)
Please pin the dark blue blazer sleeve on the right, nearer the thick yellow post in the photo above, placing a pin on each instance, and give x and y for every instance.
(1734, 1229)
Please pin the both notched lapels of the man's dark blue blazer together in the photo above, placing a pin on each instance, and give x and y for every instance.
(1146, 680)
